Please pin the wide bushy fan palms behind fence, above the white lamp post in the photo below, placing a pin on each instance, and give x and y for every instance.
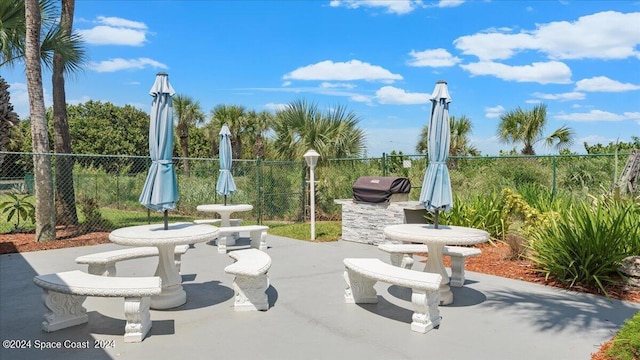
(302, 126)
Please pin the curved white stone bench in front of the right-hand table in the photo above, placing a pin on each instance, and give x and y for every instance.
(362, 274)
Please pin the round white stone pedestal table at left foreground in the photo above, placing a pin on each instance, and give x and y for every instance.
(172, 294)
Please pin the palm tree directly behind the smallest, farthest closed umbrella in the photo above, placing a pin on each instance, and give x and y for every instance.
(235, 118)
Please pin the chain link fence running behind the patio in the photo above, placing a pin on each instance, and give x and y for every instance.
(102, 191)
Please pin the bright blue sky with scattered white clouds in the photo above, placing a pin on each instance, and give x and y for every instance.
(379, 58)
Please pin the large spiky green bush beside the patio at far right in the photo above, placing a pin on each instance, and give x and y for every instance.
(586, 242)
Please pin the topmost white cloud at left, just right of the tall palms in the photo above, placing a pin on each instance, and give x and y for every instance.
(115, 31)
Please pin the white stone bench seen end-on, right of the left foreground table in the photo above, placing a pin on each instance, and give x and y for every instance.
(251, 281)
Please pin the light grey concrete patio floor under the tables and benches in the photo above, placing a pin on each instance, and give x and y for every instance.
(491, 317)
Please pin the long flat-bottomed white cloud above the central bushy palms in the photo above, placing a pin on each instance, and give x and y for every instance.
(342, 71)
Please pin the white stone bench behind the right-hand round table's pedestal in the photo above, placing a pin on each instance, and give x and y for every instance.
(402, 255)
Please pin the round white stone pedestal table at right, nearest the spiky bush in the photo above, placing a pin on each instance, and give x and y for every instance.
(436, 239)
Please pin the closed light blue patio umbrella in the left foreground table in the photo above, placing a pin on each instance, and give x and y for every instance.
(160, 191)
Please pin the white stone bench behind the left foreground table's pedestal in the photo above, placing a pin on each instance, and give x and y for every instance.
(104, 263)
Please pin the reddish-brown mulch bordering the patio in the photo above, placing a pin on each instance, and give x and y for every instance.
(494, 260)
